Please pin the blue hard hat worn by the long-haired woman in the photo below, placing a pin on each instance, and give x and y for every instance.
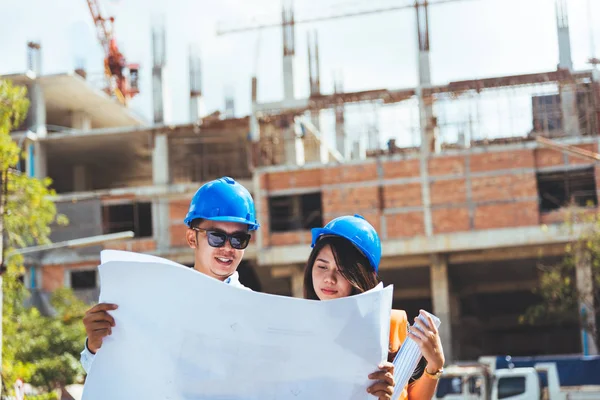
(358, 231)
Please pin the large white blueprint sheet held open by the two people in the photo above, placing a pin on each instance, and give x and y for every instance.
(182, 335)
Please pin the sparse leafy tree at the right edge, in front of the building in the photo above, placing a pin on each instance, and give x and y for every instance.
(557, 287)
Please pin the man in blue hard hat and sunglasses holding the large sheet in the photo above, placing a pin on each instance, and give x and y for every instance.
(219, 219)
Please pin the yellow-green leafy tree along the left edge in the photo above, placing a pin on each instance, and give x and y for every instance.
(40, 349)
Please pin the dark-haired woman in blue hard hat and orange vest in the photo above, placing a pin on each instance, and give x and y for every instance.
(344, 262)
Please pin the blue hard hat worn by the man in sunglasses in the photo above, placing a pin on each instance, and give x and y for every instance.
(223, 200)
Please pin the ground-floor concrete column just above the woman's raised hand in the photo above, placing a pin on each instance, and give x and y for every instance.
(440, 293)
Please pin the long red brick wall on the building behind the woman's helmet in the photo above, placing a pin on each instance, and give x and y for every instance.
(469, 191)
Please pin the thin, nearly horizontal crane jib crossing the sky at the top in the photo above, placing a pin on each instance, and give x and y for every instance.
(257, 24)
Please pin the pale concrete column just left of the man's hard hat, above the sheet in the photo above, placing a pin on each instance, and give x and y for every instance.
(160, 206)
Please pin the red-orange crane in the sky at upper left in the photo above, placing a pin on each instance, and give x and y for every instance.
(122, 77)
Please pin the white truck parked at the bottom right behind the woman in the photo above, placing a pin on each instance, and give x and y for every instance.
(483, 381)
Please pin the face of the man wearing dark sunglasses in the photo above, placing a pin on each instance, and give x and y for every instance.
(217, 262)
